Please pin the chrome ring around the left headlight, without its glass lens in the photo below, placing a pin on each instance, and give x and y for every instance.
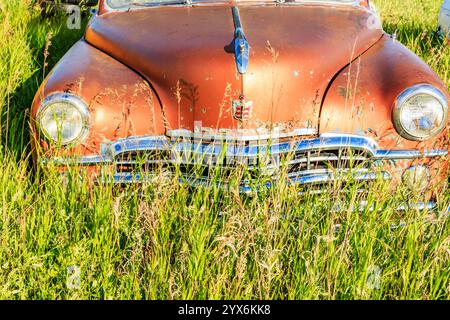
(76, 102)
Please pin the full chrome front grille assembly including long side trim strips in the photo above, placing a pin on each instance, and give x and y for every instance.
(310, 161)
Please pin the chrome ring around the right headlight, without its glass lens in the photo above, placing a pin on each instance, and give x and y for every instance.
(406, 95)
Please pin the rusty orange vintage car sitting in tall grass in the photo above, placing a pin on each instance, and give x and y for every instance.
(223, 83)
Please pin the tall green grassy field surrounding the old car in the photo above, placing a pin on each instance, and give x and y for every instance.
(164, 241)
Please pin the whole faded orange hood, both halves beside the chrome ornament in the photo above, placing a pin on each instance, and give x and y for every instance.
(185, 54)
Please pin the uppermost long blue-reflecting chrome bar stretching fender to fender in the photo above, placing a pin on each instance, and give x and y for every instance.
(326, 141)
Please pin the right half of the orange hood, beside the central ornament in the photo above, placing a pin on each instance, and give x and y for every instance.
(295, 52)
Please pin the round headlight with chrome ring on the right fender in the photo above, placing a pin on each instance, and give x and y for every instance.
(420, 112)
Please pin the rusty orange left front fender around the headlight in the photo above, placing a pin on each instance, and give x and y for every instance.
(120, 101)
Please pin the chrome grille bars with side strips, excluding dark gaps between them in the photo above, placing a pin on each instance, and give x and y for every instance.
(193, 152)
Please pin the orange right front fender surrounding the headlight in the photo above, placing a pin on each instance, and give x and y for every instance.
(360, 100)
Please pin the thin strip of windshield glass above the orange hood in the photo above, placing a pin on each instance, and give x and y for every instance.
(122, 4)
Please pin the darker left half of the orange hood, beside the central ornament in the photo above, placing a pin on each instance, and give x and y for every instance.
(180, 57)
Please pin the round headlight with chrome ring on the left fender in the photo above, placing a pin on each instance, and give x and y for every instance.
(64, 118)
